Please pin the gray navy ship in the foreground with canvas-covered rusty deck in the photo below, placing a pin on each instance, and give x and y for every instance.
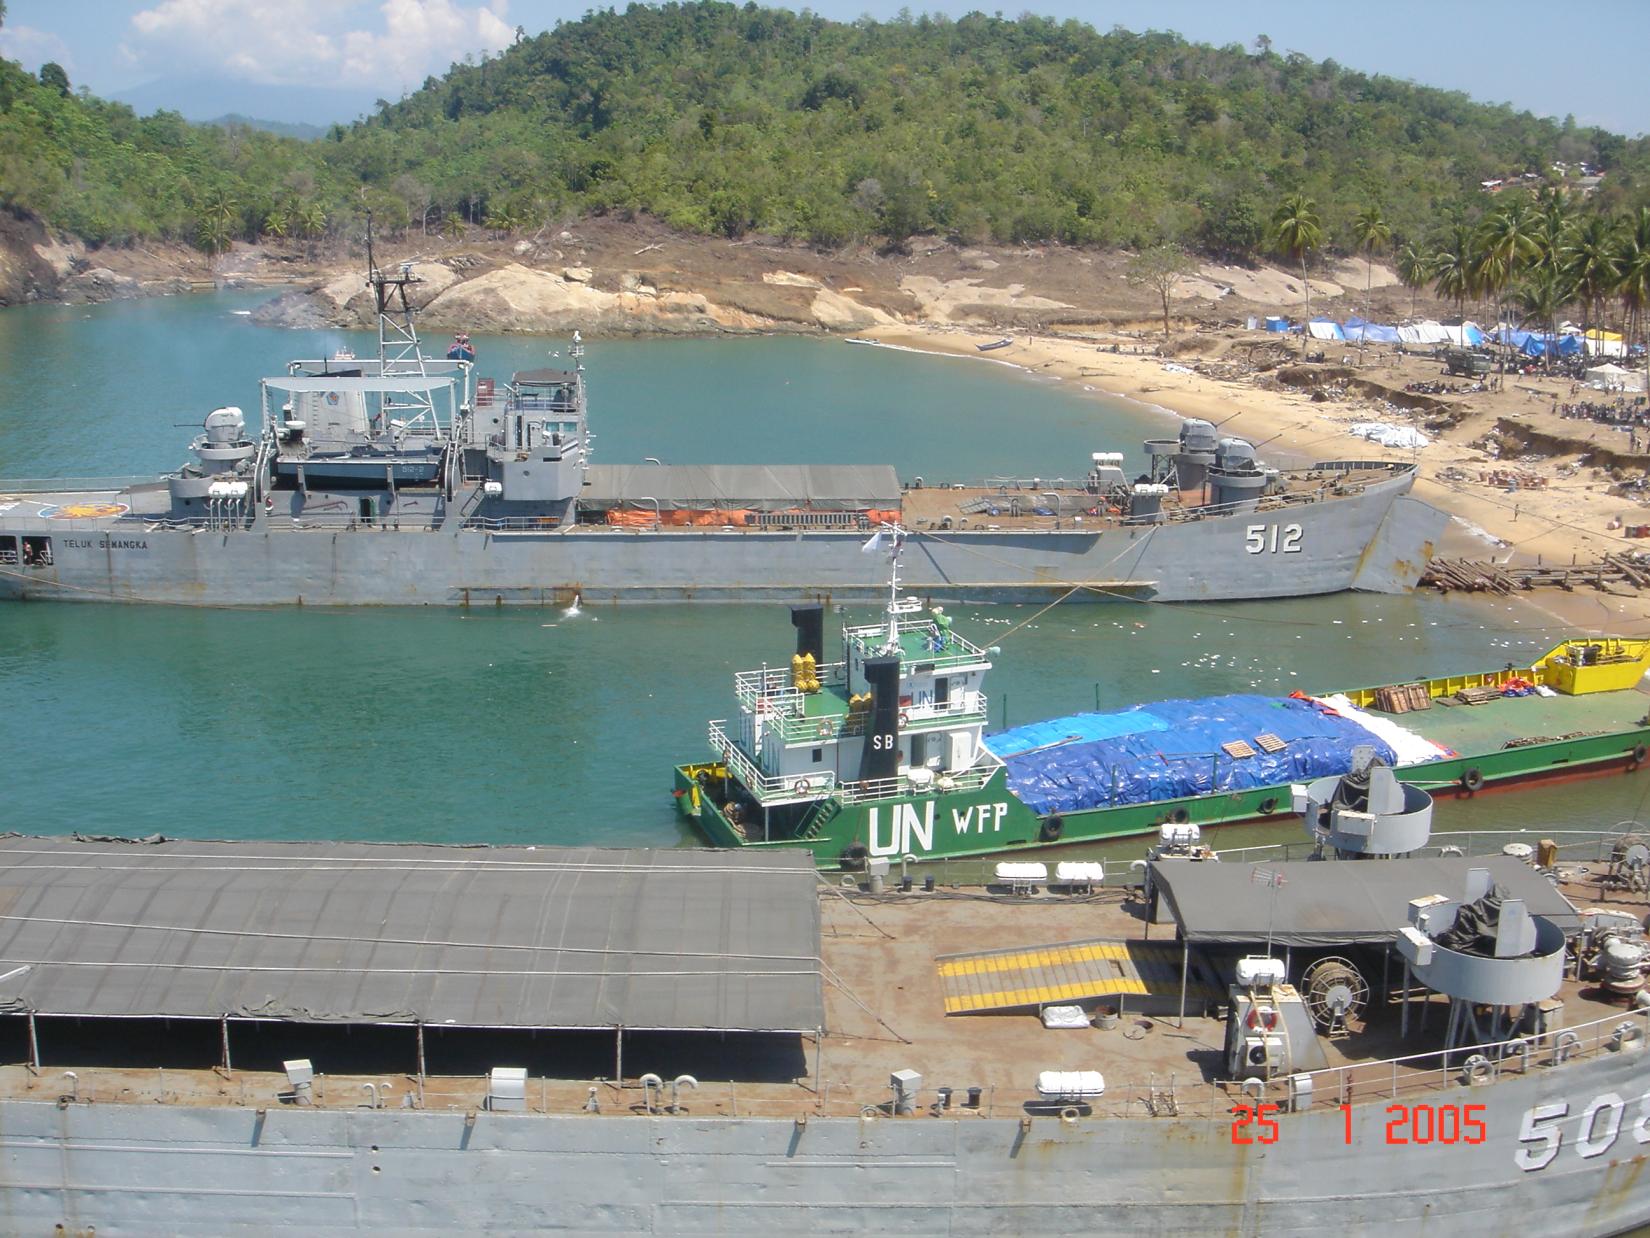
(212, 1037)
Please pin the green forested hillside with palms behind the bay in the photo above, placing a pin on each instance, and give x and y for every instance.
(728, 120)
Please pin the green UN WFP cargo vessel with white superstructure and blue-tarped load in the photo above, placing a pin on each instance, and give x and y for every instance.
(884, 754)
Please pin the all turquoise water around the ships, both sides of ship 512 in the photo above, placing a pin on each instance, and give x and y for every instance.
(540, 727)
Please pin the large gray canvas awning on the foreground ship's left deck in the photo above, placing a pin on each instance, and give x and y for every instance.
(464, 937)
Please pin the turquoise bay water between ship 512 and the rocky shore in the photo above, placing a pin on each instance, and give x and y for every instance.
(123, 389)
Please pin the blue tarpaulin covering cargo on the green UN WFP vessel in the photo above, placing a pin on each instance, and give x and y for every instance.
(1172, 750)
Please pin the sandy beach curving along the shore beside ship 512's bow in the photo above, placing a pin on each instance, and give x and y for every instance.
(1568, 521)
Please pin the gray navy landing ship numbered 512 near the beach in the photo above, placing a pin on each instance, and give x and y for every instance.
(402, 480)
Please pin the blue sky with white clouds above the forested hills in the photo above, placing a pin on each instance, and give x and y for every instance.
(311, 57)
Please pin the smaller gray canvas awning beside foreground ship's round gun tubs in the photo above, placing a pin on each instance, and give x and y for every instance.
(1336, 904)
